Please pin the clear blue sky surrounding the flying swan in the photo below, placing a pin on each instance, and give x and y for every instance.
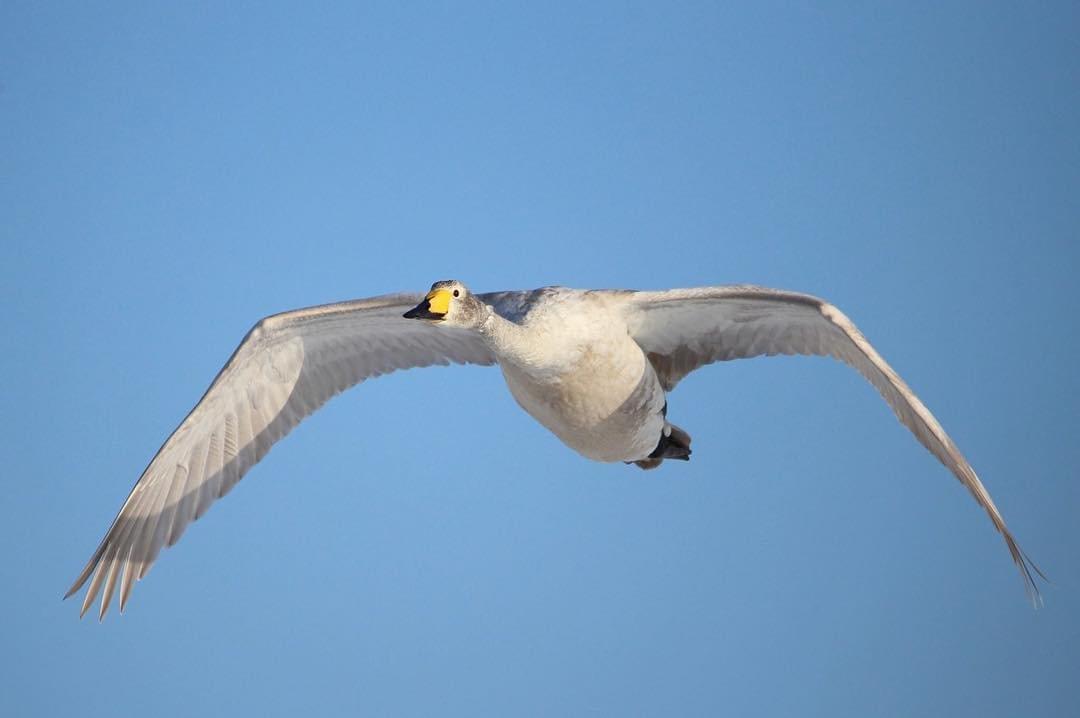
(170, 175)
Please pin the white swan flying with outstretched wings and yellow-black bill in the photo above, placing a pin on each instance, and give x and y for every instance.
(592, 367)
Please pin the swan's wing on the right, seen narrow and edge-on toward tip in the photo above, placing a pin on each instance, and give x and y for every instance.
(683, 330)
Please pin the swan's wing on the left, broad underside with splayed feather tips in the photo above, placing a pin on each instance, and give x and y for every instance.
(287, 368)
